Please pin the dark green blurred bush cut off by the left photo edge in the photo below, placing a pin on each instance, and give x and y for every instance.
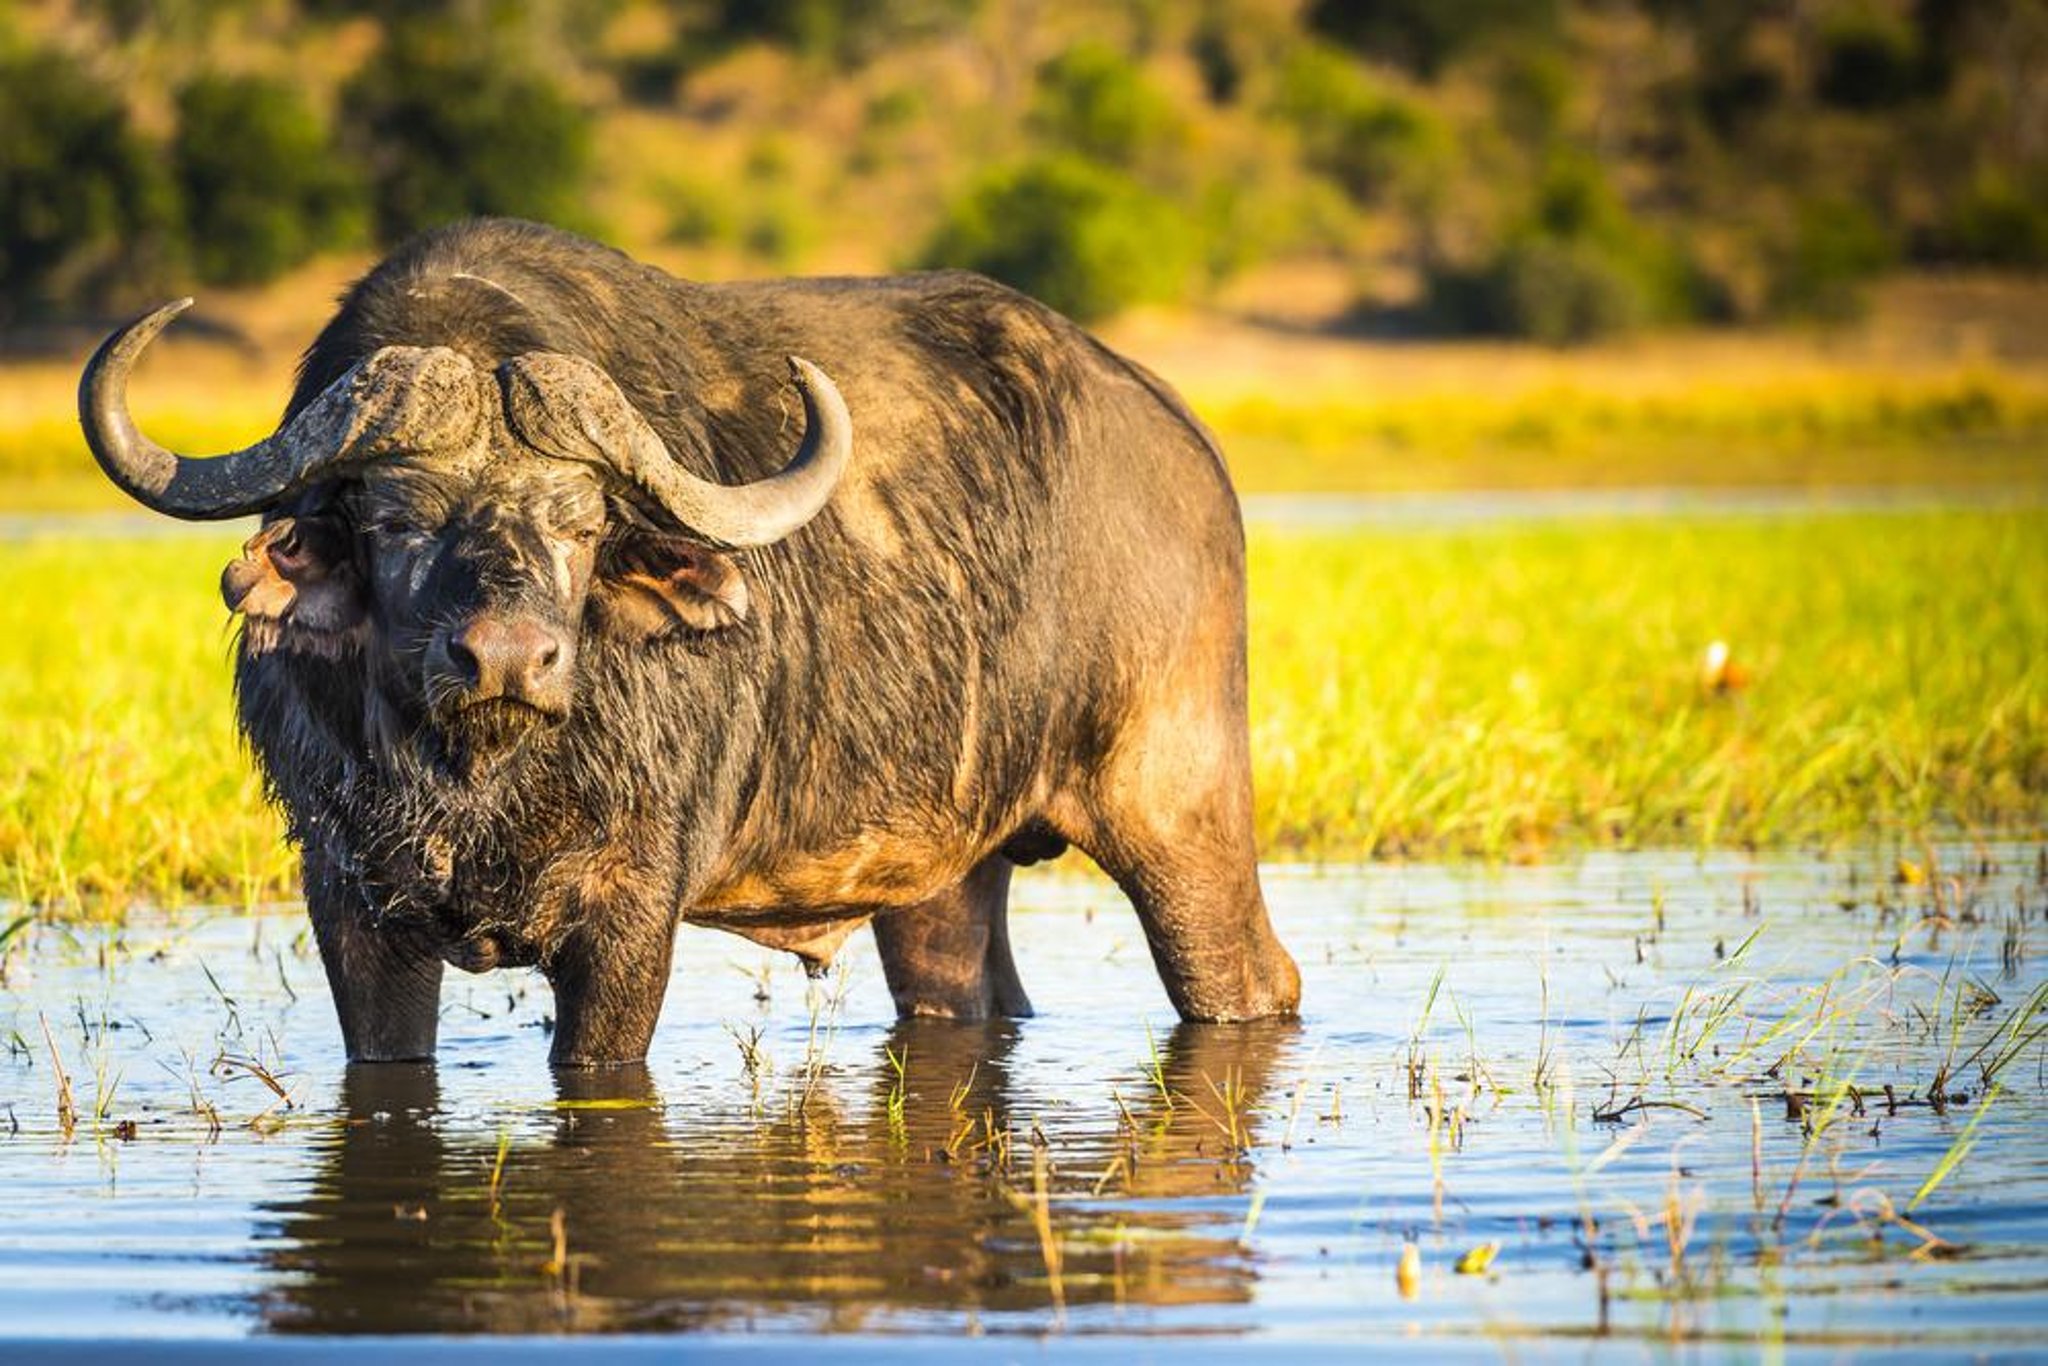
(87, 214)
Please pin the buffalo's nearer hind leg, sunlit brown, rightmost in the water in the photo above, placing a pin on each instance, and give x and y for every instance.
(1170, 820)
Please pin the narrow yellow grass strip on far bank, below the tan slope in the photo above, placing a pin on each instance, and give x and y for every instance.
(1959, 429)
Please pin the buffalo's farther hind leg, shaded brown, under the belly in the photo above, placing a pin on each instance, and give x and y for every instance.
(951, 955)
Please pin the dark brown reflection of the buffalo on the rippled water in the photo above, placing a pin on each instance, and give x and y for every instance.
(876, 1203)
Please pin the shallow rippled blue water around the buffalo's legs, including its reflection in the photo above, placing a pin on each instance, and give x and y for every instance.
(1099, 1172)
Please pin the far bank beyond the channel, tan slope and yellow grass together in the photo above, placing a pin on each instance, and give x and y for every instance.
(1916, 398)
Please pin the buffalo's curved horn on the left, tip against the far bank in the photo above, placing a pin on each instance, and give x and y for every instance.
(400, 398)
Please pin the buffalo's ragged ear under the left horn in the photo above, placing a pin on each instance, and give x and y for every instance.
(296, 581)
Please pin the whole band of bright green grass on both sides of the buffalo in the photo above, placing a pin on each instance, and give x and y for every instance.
(1500, 693)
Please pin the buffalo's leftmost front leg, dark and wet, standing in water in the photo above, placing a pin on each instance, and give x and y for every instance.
(386, 980)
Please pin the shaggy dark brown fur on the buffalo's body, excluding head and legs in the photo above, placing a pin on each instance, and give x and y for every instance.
(841, 706)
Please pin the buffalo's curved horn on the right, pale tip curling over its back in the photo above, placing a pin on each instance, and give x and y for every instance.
(570, 409)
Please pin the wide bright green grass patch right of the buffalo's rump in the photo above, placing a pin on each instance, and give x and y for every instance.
(1506, 691)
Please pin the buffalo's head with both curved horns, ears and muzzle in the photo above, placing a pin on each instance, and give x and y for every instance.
(468, 527)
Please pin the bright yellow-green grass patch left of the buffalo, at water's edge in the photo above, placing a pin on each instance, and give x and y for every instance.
(124, 777)
